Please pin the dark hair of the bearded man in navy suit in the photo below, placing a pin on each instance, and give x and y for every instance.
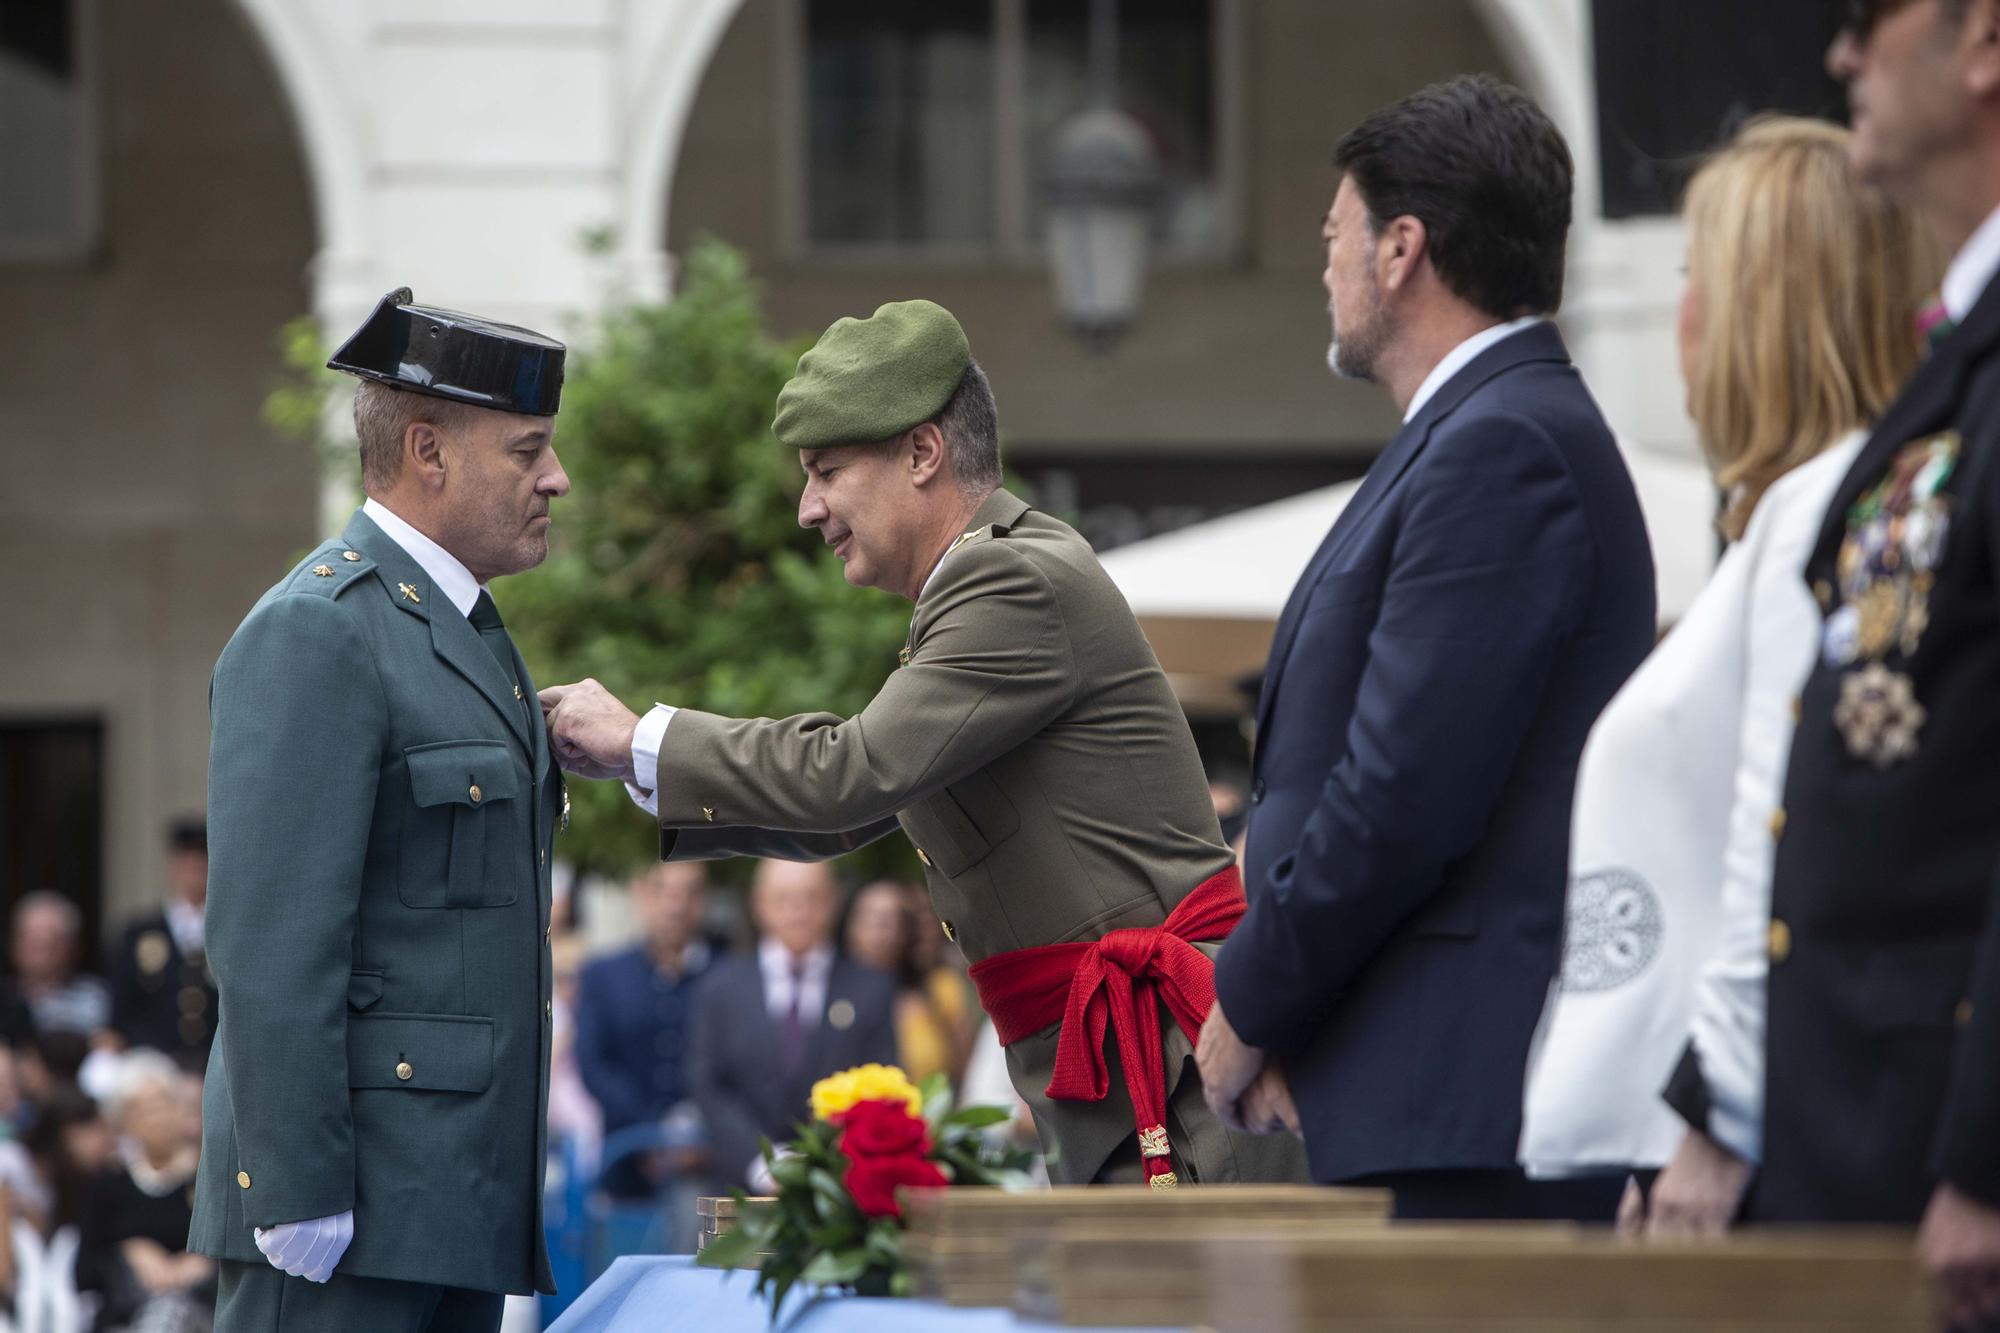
(1489, 177)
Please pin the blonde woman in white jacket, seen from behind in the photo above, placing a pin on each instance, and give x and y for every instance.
(1797, 329)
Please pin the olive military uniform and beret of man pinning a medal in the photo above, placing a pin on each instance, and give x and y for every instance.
(1029, 746)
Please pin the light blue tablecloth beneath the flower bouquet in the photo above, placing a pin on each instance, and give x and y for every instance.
(647, 1294)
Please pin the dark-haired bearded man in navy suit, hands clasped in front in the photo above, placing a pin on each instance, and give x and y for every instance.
(1433, 680)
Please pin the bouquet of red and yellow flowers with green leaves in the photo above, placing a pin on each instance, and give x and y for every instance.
(835, 1220)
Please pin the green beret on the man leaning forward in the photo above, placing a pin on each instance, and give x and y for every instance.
(873, 379)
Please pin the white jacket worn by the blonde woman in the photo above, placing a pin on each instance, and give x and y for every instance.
(1671, 860)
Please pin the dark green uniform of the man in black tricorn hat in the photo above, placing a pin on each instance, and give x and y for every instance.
(381, 810)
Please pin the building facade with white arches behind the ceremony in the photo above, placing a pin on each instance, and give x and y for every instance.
(203, 171)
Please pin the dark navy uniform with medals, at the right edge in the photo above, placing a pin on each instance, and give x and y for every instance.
(1885, 948)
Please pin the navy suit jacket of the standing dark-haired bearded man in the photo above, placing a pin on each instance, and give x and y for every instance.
(1427, 700)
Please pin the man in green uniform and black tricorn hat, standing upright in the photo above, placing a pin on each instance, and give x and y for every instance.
(381, 808)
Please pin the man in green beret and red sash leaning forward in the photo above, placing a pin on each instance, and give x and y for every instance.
(1027, 742)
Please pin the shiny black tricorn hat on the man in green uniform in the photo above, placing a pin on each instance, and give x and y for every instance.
(459, 357)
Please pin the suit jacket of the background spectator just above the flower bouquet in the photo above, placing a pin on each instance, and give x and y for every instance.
(737, 1078)
